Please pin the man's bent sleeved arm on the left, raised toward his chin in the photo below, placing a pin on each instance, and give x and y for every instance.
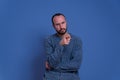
(53, 54)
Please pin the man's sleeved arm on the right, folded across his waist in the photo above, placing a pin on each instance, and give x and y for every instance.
(75, 62)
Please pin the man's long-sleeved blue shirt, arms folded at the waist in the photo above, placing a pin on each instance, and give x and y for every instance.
(67, 57)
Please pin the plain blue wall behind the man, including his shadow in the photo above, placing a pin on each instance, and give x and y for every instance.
(25, 23)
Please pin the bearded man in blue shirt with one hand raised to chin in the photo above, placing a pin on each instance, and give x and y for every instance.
(63, 52)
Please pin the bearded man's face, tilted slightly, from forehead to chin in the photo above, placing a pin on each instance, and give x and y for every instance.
(60, 24)
